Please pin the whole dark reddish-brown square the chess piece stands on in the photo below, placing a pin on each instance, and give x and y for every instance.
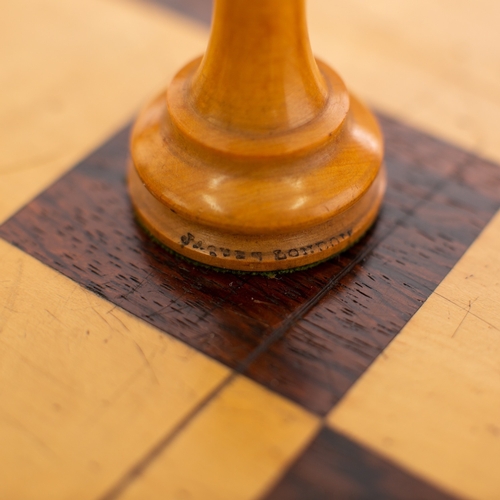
(308, 335)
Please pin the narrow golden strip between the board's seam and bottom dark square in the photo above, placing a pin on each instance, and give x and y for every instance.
(234, 450)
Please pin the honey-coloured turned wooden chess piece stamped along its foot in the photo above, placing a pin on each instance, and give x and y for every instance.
(256, 158)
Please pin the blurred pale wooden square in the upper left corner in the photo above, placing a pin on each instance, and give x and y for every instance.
(66, 86)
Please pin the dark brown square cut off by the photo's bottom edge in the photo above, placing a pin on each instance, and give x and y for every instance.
(336, 467)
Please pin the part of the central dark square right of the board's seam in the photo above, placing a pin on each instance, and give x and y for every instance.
(325, 352)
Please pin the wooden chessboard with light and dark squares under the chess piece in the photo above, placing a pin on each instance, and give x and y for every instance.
(128, 373)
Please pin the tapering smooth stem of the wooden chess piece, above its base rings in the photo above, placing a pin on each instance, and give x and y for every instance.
(258, 74)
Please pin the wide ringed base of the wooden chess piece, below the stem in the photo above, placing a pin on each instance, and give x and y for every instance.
(257, 211)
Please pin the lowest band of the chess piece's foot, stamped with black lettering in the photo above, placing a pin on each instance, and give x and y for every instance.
(255, 253)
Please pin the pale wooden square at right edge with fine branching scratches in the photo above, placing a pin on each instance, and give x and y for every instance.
(431, 402)
